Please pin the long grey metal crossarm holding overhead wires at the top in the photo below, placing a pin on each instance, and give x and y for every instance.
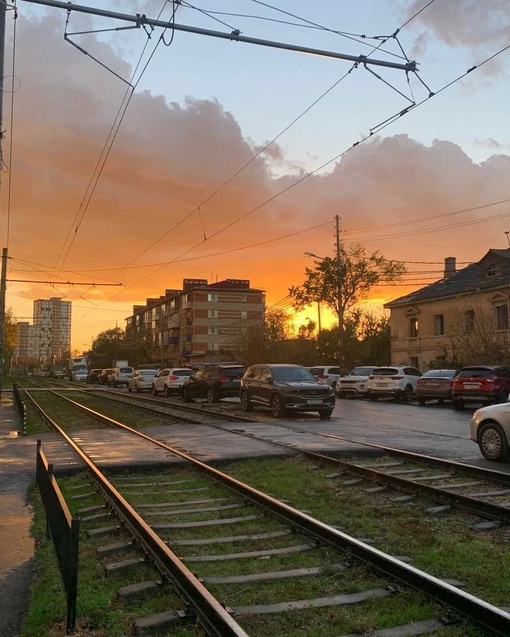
(140, 20)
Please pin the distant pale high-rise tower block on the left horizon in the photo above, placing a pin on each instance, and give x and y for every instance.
(49, 338)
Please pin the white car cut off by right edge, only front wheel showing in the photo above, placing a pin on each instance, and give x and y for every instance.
(490, 429)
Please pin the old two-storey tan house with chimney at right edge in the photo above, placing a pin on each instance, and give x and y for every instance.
(461, 319)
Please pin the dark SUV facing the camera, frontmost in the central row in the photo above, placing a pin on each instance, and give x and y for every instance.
(285, 388)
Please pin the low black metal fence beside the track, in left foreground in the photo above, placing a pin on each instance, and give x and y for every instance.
(63, 529)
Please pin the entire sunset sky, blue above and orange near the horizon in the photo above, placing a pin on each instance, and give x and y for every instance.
(147, 156)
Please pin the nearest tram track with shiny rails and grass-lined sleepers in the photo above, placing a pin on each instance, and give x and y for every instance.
(214, 522)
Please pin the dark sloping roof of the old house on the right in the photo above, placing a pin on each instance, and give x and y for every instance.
(491, 272)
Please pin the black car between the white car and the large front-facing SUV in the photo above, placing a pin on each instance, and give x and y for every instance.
(213, 383)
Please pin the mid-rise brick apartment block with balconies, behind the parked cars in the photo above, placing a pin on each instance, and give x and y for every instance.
(199, 323)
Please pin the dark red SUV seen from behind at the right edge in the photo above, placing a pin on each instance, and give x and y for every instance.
(486, 384)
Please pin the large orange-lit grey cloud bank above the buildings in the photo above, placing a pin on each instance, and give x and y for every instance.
(154, 196)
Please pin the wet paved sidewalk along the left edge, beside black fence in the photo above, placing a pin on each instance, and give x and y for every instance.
(17, 471)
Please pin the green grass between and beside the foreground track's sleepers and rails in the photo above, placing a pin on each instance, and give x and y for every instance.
(445, 546)
